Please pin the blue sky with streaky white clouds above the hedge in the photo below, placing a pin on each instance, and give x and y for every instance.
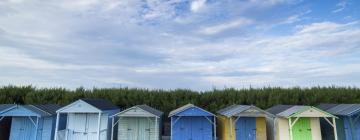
(169, 44)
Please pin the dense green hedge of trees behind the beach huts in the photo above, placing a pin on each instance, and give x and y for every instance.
(167, 100)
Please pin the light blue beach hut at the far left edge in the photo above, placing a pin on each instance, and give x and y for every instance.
(27, 122)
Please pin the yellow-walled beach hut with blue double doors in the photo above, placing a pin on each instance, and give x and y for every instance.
(247, 123)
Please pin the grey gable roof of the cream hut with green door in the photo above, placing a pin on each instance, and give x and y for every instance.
(287, 111)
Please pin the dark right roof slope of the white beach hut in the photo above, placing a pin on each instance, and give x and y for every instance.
(100, 104)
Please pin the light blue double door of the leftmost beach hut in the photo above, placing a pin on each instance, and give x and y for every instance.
(22, 129)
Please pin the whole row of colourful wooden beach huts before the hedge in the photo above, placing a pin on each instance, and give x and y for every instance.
(98, 119)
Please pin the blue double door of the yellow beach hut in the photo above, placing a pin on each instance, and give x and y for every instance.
(245, 128)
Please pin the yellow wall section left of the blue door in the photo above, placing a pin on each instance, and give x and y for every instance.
(224, 128)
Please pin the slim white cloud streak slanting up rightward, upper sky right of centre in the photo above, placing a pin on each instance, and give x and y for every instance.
(239, 23)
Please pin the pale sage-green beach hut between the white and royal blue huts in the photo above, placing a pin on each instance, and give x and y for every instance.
(139, 122)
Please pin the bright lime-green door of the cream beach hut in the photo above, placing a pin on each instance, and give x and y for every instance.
(302, 129)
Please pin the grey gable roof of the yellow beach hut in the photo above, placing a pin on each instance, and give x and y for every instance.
(236, 109)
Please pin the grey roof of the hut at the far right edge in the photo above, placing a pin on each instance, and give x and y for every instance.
(341, 109)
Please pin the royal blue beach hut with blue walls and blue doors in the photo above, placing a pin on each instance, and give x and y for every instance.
(192, 123)
